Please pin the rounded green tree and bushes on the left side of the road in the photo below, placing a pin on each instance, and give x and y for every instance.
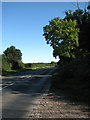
(11, 59)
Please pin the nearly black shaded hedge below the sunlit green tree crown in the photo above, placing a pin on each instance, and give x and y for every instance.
(73, 78)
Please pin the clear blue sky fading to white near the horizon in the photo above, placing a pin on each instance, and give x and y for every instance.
(22, 26)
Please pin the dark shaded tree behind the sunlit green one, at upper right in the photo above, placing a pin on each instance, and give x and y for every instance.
(83, 22)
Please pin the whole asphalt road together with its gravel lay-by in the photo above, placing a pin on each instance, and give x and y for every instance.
(27, 95)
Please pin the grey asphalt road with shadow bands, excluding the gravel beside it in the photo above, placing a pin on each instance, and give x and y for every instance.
(21, 93)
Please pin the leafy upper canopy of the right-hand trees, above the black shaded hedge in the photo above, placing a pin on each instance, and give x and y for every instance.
(69, 37)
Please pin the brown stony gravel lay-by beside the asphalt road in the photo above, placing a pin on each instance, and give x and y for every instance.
(49, 107)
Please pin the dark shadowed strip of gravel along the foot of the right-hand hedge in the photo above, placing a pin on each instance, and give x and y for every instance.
(55, 95)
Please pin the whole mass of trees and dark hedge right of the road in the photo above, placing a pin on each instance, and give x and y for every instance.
(69, 38)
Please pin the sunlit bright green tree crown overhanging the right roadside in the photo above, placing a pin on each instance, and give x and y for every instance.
(62, 35)
